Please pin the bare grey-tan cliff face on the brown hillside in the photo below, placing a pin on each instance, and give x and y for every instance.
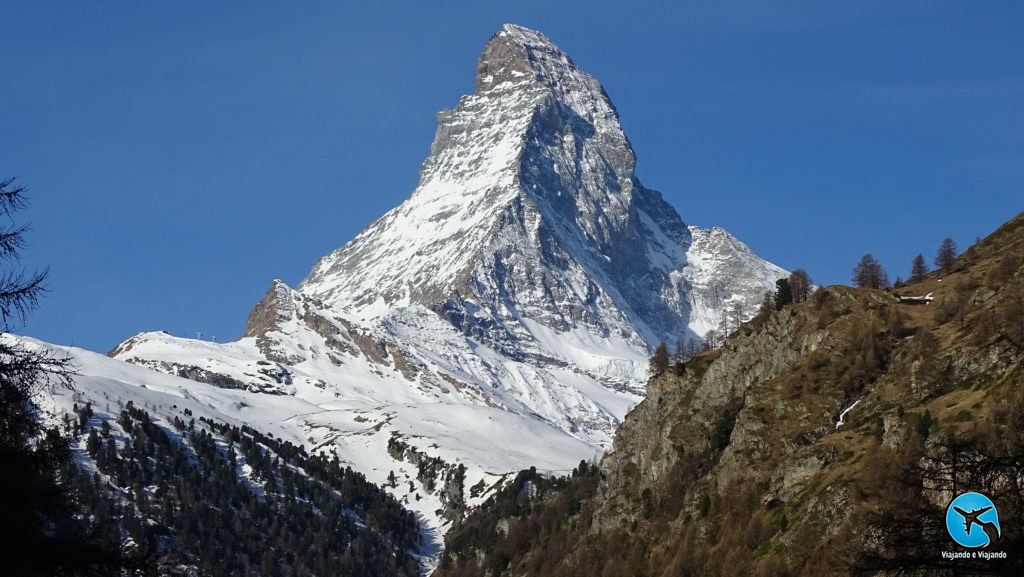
(675, 419)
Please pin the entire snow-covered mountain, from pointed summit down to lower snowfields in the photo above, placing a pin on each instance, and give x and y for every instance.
(502, 316)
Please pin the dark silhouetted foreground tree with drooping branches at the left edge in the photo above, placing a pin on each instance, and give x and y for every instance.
(49, 539)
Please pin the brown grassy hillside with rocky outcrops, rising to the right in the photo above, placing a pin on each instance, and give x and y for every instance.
(736, 464)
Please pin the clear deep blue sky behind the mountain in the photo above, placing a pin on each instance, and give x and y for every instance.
(182, 155)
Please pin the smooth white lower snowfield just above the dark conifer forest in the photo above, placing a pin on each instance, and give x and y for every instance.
(359, 432)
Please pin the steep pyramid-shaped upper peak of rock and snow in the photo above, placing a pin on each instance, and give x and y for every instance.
(529, 216)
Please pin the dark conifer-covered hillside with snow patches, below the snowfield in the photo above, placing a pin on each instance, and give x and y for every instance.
(196, 498)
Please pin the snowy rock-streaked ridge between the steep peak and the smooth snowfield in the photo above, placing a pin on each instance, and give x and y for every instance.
(409, 357)
